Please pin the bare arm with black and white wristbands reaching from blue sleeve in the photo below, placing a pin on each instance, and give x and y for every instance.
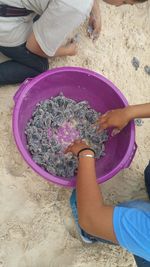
(95, 217)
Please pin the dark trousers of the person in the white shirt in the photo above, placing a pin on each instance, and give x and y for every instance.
(23, 64)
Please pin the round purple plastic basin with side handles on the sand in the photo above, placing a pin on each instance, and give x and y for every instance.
(78, 84)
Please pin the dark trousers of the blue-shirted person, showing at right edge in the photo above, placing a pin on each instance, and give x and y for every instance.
(139, 261)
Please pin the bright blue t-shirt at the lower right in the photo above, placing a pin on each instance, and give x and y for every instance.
(132, 227)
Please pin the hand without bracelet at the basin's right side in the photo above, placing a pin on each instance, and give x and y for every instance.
(117, 119)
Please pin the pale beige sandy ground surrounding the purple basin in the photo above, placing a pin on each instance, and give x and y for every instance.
(36, 226)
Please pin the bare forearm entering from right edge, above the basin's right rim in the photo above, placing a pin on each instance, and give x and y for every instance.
(139, 111)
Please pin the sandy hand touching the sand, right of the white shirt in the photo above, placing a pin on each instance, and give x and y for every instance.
(94, 26)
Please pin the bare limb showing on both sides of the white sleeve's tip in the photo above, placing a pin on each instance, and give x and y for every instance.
(66, 50)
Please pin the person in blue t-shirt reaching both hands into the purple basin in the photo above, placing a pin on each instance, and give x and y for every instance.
(127, 224)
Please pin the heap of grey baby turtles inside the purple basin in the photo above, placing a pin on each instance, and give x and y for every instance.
(54, 125)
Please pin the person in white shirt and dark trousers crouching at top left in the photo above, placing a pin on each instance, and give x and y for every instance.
(28, 44)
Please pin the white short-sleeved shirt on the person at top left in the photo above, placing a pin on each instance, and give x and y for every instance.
(58, 18)
